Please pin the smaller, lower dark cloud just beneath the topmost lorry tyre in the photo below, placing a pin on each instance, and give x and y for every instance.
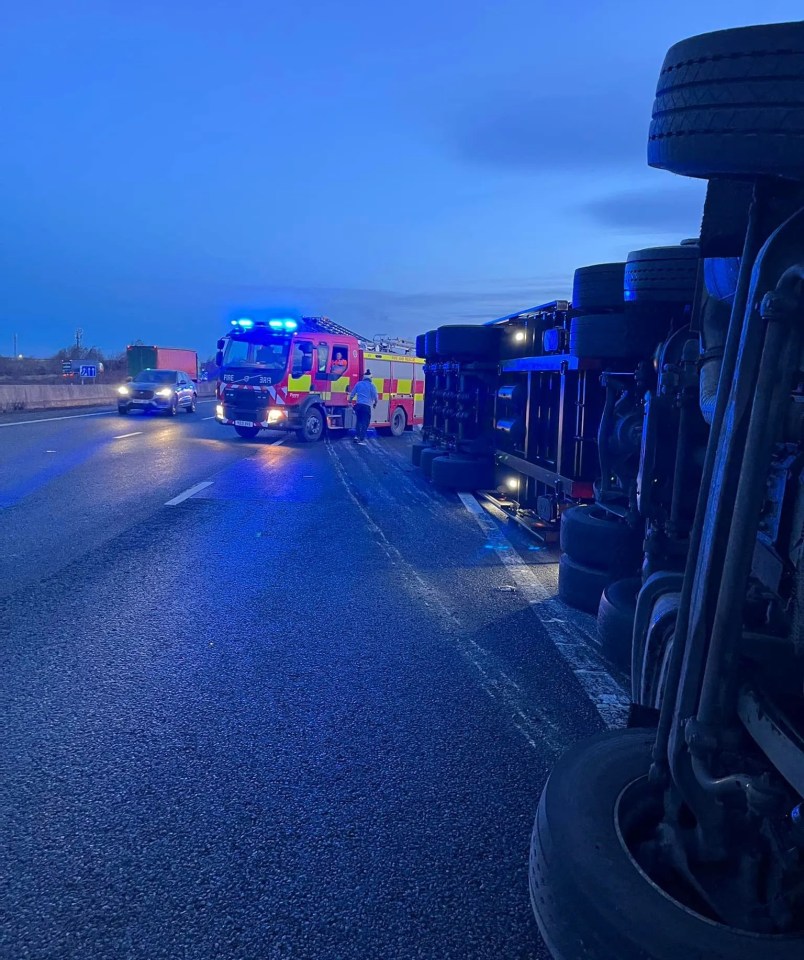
(650, 211)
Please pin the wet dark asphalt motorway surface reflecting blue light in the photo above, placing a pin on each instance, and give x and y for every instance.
(268, 700)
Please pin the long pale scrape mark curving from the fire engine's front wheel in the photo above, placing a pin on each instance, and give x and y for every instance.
(537, 729)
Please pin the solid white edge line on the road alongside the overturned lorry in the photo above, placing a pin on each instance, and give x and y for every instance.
(608, 696)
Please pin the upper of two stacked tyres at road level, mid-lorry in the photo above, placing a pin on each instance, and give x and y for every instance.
(591, 536)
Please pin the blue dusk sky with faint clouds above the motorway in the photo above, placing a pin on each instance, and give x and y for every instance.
(166, 166)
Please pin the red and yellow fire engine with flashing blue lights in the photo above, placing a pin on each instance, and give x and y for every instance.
(296, 375)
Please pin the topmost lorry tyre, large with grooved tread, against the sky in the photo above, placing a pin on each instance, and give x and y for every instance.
(731, 104)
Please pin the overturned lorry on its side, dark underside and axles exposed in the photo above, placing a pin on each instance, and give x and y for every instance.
(682, 836)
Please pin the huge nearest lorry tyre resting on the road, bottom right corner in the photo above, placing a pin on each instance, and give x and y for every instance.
(590, 897)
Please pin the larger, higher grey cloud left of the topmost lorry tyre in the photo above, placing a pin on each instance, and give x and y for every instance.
(600, 126)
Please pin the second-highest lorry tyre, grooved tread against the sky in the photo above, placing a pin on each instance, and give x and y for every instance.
(662, 274)
